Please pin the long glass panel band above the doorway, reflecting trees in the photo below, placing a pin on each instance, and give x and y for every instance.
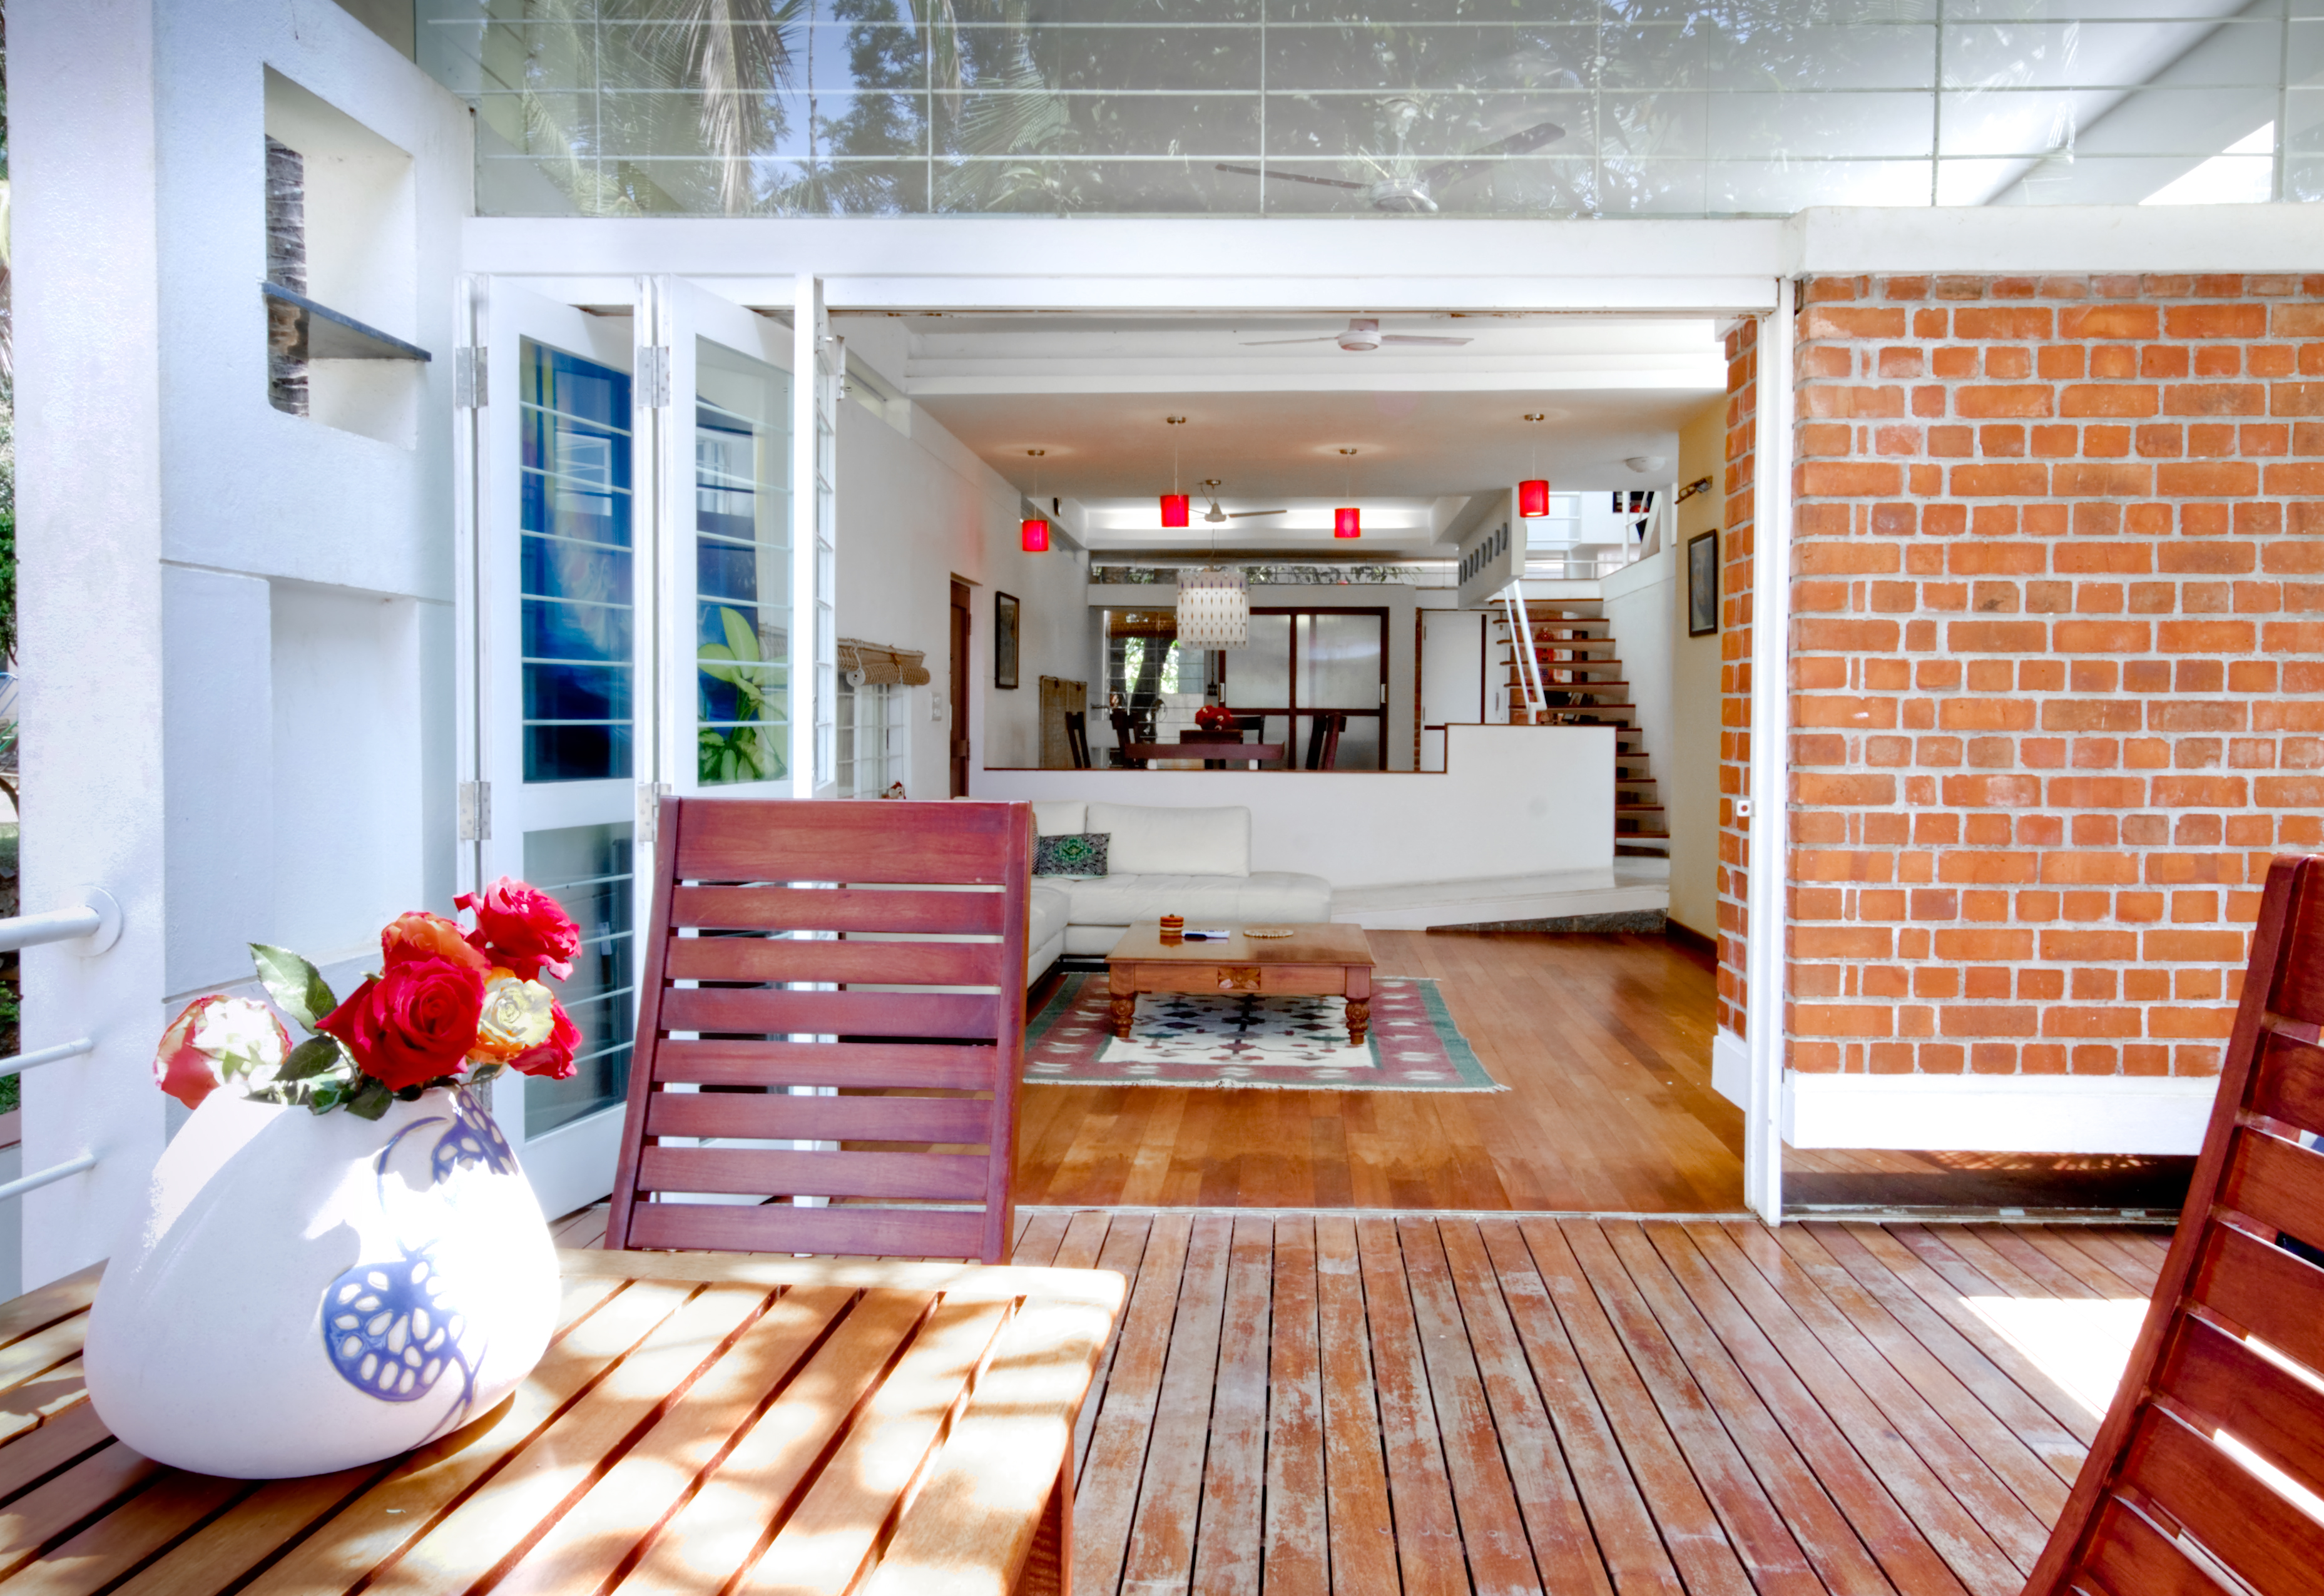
(1465, 108)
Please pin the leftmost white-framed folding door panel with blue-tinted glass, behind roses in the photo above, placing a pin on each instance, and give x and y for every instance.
(559, 605)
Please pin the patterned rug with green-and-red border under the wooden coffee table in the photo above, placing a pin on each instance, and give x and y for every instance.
(1296, 1044)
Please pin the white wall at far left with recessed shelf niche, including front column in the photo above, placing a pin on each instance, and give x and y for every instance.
(166, 508)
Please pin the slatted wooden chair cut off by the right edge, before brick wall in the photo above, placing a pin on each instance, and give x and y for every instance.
(2172, 1497)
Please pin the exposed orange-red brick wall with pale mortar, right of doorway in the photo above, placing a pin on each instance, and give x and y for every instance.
(2058, 663)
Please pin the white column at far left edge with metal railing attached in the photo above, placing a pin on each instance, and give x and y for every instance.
(87, 266)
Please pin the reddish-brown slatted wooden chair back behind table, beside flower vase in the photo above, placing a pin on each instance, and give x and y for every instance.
(928, 903)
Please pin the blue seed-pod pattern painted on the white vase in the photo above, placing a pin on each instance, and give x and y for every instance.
(389, 1328)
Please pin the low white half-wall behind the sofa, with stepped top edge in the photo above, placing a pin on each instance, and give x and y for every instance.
(1514, 803)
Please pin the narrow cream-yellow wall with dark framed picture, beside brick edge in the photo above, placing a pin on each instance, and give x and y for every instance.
(1691, 775)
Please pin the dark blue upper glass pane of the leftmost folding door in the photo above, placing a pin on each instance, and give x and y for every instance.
(578, 568)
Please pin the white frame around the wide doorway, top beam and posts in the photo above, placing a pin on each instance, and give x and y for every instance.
(1275, 266)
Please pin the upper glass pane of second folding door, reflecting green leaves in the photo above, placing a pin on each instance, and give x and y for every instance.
(743, 568)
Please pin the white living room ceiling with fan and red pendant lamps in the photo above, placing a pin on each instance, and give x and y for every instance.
(1430, 426)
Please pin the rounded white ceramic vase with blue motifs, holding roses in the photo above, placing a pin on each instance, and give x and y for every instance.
(308, 1293)
